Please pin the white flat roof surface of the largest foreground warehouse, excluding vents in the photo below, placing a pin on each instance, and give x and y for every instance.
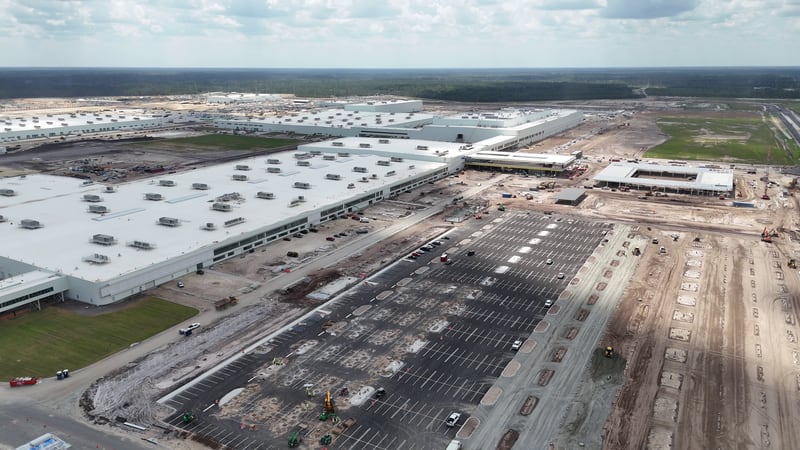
(58, 204)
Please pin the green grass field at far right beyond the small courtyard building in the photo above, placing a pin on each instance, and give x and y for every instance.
(740, 140)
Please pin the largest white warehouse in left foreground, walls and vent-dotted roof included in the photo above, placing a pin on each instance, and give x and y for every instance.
(100, 244)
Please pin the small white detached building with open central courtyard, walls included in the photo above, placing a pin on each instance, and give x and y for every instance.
(663, 178)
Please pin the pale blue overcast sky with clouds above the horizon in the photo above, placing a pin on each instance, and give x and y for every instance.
(399, 33)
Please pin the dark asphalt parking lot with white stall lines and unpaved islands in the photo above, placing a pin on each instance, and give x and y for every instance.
(434, 334)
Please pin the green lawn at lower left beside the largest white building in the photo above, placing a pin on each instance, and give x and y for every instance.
(43, 342)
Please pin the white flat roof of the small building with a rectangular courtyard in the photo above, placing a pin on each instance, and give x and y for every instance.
(704, 179)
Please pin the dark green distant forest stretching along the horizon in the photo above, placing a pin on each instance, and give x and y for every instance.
(467, 85)
